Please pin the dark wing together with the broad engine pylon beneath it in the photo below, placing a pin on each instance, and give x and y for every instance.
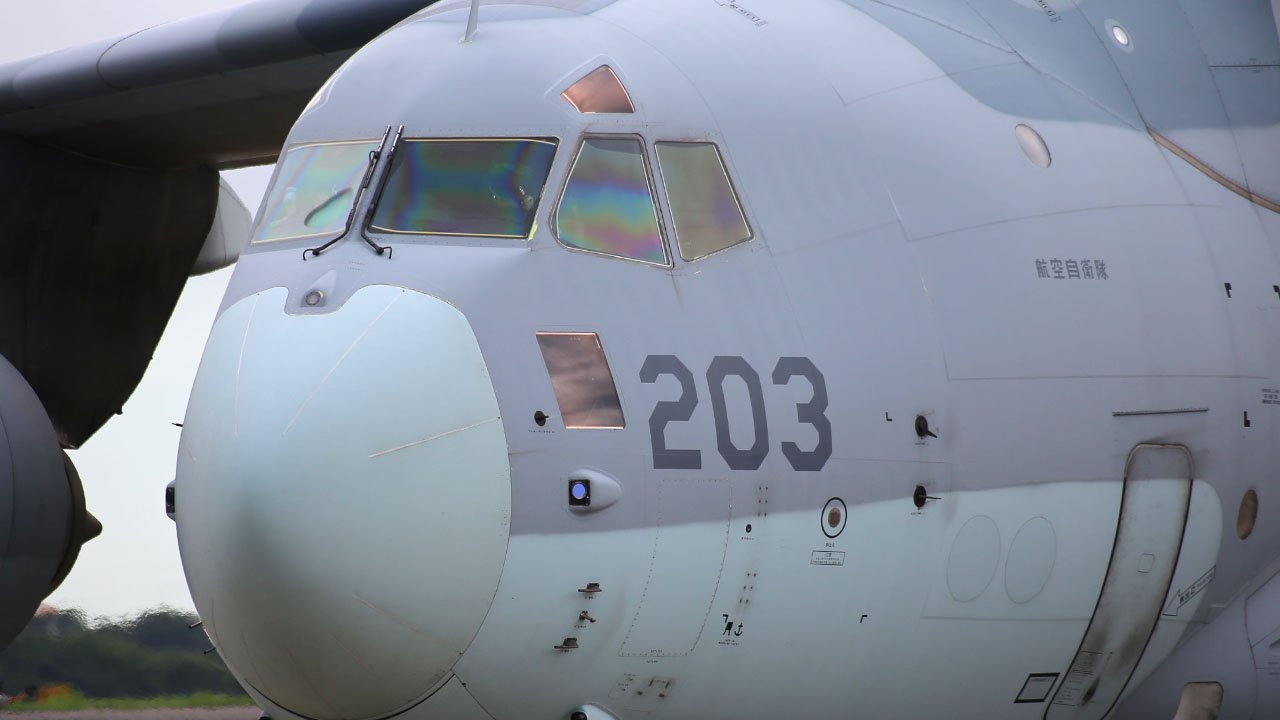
(109, 188)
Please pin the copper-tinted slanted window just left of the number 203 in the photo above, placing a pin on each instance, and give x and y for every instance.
(582, 380)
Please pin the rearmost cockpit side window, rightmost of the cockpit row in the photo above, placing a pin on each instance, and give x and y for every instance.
(703, 206)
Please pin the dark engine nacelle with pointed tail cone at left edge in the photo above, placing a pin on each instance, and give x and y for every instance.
(43, 517)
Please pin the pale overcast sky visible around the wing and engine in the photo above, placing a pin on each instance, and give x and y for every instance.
(135, 564)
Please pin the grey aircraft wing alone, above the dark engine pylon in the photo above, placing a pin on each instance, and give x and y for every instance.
(221, 89)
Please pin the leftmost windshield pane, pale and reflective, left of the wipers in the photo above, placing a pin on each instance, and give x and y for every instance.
(314, 190)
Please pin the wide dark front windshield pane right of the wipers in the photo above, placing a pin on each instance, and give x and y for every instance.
(465, 188)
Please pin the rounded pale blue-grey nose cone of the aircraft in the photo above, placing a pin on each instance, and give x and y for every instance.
(344, 499)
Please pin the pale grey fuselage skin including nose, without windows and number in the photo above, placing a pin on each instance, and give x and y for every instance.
(373, 523)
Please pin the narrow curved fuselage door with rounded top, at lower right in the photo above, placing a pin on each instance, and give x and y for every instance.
(1109, 653)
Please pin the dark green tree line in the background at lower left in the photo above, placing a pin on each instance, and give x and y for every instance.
(154, 654)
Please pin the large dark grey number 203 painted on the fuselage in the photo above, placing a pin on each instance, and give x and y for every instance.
(680, 411)
